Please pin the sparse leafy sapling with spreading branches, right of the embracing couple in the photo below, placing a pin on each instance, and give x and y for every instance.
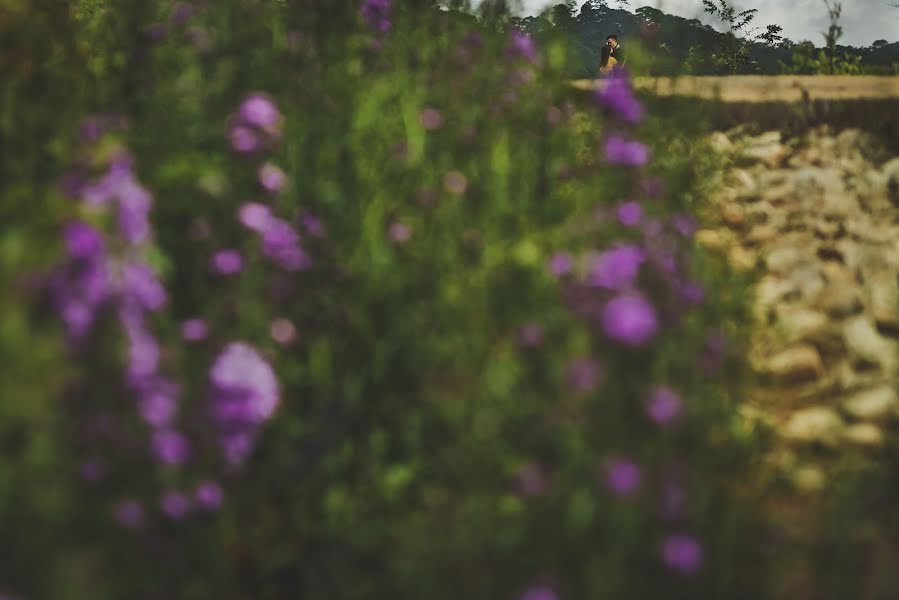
(735, 45)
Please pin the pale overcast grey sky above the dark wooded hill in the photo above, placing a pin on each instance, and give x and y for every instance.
(863, 21)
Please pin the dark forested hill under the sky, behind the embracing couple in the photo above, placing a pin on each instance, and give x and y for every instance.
(687, 45)
